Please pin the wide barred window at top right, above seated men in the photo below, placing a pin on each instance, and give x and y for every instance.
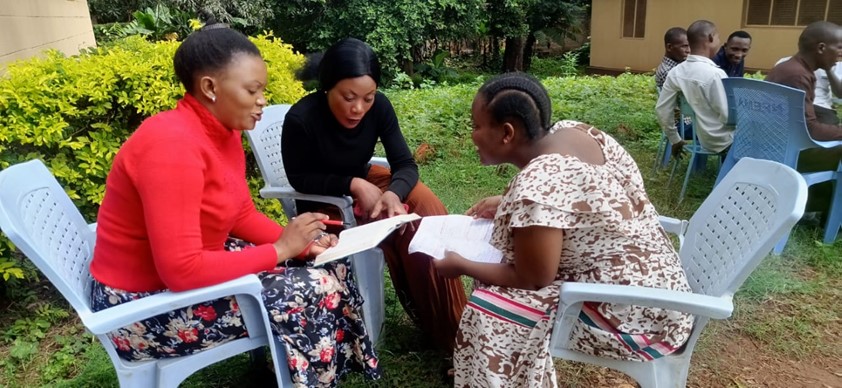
(792, 12)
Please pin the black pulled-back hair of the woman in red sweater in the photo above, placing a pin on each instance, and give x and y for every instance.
(211, 48)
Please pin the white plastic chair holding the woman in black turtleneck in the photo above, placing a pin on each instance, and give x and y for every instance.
(265, 140)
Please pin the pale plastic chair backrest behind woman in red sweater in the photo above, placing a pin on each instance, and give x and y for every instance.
(41, 220)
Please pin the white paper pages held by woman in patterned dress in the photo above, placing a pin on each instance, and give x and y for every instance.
(465, 235)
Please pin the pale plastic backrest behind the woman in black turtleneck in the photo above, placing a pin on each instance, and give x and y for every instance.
(265, 139)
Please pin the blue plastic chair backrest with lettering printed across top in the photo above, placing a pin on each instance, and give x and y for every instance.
(770, 120)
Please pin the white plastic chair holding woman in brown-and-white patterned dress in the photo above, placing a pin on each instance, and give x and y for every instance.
(756, 204)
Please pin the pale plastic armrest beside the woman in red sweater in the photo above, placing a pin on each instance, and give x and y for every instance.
(125, 314)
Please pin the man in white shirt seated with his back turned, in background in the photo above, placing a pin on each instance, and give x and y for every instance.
(699, 81)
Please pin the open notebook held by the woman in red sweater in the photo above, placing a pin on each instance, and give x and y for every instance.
(363, 237)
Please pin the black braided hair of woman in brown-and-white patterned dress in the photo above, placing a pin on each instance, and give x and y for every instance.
(519, 96)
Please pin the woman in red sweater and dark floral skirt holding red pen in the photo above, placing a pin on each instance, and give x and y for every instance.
(175, 197)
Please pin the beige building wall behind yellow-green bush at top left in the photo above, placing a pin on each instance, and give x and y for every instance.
(28, 27)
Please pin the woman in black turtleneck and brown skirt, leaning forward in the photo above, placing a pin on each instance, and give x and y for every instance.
(328, 139)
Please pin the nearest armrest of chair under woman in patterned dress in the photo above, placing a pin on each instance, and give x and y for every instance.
(697, 304)
